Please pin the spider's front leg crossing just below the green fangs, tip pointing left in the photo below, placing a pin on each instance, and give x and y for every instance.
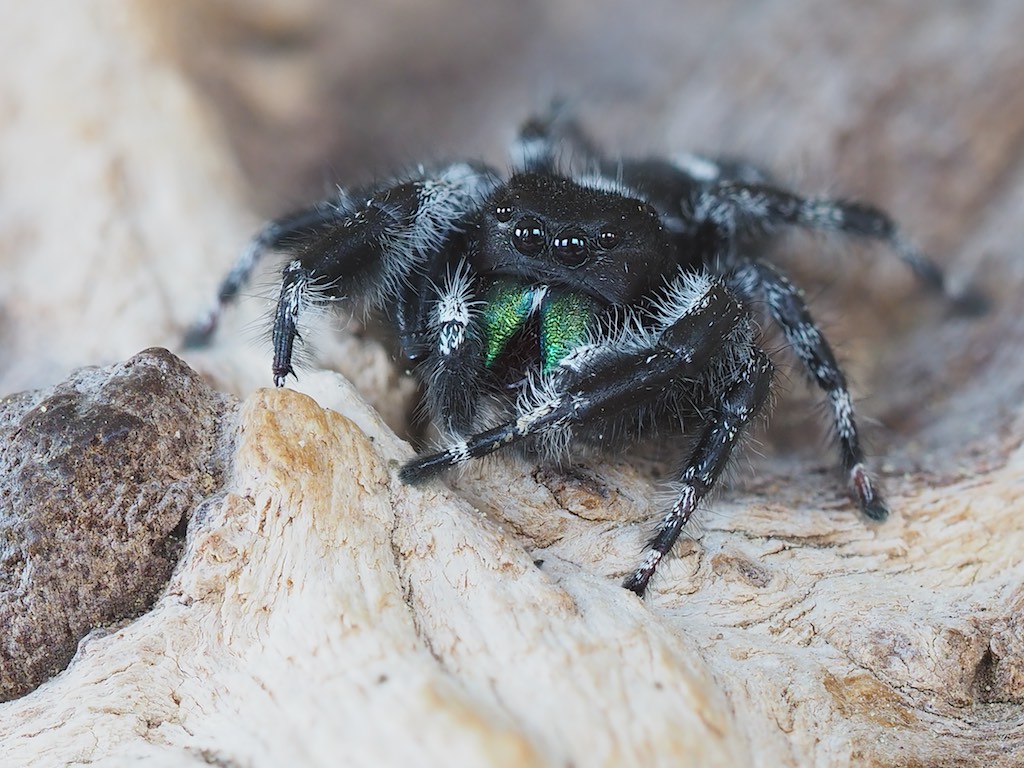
(602, 382)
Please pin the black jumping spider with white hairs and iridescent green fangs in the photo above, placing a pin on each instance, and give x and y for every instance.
(560, 311)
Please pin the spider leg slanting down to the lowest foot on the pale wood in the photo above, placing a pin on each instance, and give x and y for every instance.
(741, 404)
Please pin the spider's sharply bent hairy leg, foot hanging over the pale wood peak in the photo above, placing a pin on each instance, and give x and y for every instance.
(372, 253)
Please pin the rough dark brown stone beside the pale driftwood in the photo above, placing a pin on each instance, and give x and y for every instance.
(99, 478)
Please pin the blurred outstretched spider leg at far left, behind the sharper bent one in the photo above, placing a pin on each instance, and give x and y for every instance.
(273, 237)
